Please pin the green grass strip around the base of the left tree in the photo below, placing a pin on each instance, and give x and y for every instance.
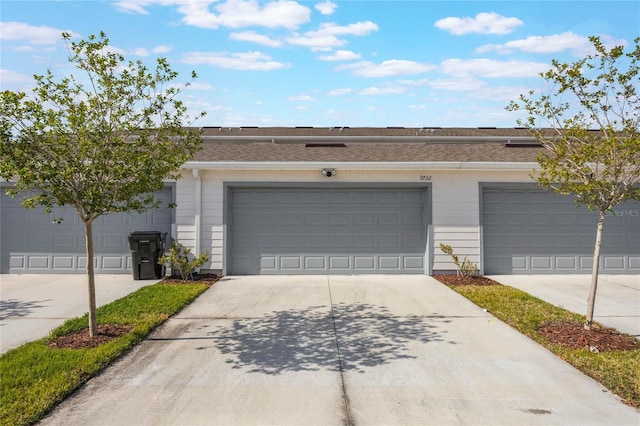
(35, 377)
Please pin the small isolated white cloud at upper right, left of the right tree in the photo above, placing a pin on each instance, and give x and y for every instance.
(483, 23)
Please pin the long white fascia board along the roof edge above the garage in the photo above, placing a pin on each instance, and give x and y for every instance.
(365, 165)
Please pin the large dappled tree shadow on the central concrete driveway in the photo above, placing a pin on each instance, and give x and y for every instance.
(305, 339)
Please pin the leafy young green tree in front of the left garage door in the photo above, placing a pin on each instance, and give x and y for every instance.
(100, 142)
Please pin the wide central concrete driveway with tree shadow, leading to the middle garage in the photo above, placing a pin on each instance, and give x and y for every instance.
(362, 350)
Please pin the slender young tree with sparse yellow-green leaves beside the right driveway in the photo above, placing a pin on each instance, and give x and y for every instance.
(593, 147)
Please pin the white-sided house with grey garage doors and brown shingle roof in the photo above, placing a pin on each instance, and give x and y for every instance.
(343, 200)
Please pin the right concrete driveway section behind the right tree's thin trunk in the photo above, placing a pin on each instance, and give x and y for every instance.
(617, 299)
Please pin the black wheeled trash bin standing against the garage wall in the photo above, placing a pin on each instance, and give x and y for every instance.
(146, 248)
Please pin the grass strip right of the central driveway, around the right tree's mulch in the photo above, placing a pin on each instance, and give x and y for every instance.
(618, 371)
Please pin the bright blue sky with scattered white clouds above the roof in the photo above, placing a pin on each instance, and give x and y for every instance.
(326, 63)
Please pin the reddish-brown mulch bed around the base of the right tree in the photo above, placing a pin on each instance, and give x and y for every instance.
(598, 339)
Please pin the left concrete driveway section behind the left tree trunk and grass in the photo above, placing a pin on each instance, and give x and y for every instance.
(32, 305)
